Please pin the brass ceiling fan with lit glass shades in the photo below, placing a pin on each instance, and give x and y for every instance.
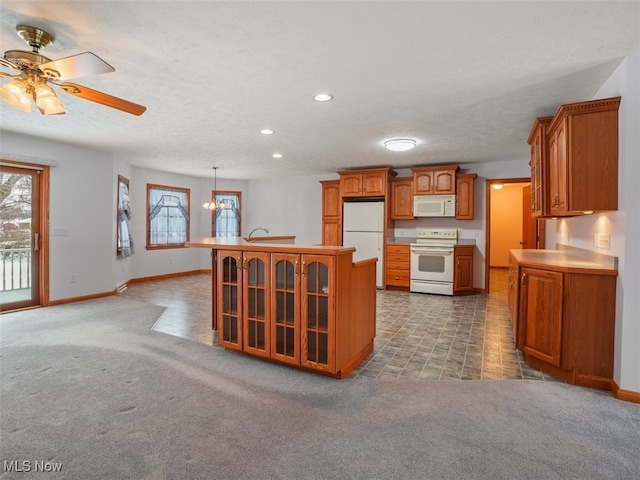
(36, 73)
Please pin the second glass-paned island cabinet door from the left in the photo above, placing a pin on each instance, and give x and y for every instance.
(256, 303)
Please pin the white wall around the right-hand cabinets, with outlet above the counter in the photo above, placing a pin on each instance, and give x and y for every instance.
(623, 225)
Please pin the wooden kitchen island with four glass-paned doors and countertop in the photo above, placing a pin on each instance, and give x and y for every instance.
(308, 306)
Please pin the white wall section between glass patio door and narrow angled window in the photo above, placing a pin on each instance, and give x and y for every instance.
(82, 205)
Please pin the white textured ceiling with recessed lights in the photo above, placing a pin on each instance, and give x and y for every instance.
(466, 79)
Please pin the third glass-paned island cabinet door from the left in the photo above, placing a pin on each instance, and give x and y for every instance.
(285, 333)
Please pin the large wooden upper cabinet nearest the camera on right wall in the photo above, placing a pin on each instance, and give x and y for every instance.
(583, 158)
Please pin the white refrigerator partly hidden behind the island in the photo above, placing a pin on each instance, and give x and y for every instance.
(363, 228)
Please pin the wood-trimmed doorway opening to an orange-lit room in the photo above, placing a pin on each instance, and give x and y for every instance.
(508, 226)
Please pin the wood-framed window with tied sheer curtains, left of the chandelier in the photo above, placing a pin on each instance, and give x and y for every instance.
(168, 216)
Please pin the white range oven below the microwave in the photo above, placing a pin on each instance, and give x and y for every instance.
(431, 267)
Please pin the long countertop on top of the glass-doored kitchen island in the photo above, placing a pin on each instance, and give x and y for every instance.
(240, 244)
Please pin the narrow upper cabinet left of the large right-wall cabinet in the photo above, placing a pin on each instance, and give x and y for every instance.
(539, 163)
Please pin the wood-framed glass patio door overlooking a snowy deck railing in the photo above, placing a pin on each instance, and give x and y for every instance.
(24, 240)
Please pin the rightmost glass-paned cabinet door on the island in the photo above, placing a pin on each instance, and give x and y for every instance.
(317, 312)
